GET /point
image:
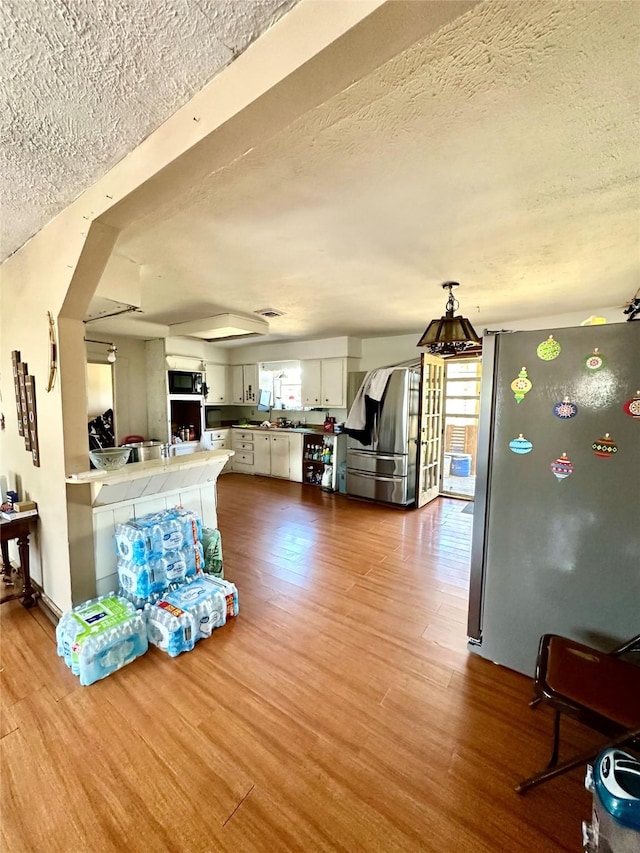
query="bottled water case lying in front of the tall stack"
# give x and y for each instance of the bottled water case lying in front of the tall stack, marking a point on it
(204, 603)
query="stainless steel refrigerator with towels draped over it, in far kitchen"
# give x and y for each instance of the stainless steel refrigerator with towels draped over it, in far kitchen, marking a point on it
(384, 469)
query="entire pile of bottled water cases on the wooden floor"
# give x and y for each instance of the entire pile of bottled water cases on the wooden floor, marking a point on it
(164, 598)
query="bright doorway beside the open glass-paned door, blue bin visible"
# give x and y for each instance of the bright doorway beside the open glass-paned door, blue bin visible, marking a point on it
(461, 414)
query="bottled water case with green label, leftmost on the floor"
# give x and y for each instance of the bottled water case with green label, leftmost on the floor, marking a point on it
(101, 636)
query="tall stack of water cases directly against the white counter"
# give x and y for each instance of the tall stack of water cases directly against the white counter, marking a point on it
(157, 551)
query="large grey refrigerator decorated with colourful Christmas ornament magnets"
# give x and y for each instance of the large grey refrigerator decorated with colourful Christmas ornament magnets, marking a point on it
(556, 539)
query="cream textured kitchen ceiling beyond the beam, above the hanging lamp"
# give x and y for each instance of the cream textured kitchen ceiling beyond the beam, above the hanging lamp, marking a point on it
(500, 152)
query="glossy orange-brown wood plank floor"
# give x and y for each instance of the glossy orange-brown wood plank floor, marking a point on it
(340, 711)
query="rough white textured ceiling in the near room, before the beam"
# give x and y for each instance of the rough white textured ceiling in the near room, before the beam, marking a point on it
(83, 82)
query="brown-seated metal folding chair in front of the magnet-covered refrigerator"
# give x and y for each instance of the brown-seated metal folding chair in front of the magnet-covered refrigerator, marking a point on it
(599, 689)
